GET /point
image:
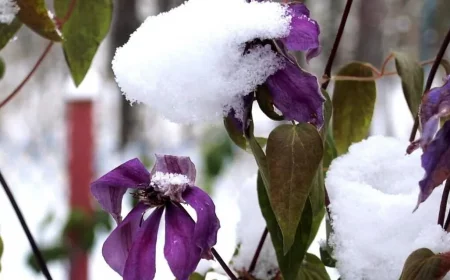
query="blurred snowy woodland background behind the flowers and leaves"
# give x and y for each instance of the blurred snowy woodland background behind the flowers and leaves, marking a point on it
(45, 129)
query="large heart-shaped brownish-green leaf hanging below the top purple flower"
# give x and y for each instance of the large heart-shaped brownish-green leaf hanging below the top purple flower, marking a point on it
(293, 155)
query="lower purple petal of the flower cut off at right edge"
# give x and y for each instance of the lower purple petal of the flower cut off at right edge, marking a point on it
(436, 162)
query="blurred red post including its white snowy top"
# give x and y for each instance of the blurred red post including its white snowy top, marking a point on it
(79, 108)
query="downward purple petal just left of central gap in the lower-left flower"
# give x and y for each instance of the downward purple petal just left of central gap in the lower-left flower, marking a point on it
(141, 262)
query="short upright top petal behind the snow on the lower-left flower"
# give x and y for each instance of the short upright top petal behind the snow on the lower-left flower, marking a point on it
(176, 165)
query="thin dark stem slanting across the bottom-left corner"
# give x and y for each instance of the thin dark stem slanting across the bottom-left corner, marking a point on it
(36, 251)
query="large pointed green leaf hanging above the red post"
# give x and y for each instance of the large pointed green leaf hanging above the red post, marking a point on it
(83, 32)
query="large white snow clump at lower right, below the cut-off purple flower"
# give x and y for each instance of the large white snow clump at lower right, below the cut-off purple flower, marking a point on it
(373, 190)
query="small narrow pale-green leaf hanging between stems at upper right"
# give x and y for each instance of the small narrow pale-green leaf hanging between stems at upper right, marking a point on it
(412, 76)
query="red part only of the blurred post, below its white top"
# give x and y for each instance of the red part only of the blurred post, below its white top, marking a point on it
(81, 146)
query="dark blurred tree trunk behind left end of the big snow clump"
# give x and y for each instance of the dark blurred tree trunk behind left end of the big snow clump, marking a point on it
(125, 22)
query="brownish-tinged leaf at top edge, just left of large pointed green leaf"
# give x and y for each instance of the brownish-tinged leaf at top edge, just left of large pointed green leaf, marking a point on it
(35, 15)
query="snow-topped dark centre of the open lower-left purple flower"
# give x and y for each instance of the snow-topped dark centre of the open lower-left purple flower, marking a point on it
(163, 188)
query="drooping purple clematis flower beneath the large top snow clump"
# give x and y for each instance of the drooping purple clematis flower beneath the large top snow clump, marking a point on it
(295, 92)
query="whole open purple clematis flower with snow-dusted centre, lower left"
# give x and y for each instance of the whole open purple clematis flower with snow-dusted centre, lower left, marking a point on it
(131, 247)
